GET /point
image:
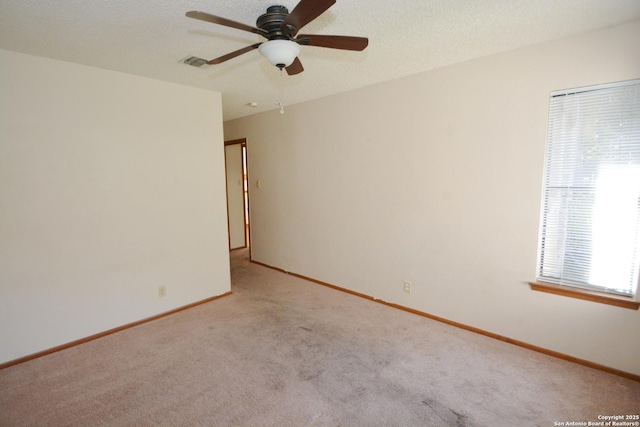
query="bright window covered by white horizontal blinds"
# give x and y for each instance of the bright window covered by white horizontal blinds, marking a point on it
(590, 231)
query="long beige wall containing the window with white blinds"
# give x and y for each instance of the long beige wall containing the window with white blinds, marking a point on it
(436, 179)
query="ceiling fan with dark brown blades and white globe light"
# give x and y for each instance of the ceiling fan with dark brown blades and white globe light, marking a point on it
(280, 28)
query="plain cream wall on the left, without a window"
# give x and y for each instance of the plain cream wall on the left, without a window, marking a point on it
(110, 186)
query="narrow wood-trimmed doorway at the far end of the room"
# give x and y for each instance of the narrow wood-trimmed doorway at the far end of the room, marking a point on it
(236, 167)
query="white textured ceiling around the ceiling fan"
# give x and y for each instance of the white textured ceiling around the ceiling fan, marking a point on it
(405, 37)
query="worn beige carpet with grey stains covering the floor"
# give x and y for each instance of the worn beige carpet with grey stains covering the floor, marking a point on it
(281, 351)
